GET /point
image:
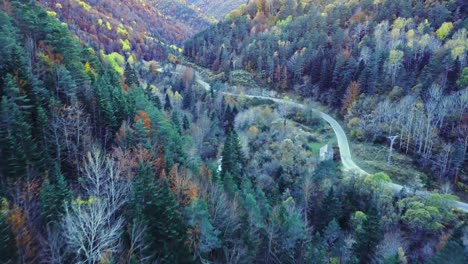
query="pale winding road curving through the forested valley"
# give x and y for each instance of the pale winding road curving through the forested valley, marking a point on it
(343, 144)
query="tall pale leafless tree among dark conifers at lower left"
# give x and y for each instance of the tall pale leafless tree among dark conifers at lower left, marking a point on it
(92, 227)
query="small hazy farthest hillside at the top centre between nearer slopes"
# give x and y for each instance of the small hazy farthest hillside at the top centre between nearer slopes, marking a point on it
(218, 8)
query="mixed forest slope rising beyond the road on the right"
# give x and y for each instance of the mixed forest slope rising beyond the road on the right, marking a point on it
(387, 67)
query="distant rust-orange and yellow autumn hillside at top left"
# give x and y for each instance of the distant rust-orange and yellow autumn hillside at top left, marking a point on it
(147, 29)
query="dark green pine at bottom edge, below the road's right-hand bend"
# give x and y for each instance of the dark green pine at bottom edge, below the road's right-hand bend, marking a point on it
(369, 237)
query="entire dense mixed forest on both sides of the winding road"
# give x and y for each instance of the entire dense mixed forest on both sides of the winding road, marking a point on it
(106, 158)
